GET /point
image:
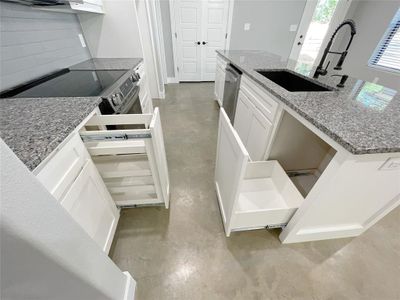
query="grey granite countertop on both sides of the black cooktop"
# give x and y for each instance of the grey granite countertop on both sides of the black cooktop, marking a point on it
(34, 127)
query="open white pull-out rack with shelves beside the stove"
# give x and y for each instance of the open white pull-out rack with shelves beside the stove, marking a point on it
(132, 162)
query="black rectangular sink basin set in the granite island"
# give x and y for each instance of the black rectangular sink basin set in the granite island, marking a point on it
(292, 82)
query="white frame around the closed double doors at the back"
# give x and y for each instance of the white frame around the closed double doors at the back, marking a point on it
(174, 36)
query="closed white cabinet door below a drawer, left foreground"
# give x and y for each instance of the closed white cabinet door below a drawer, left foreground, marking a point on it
(90, 204)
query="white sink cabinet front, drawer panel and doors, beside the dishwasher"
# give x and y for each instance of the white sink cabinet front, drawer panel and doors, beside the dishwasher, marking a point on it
(255, 112)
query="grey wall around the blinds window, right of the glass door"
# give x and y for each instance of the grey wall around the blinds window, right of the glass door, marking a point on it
(372, 19)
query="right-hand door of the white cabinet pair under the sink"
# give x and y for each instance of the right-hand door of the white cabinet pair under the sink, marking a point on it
(258, 136)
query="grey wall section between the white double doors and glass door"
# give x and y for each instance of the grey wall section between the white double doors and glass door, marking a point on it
(270, 21)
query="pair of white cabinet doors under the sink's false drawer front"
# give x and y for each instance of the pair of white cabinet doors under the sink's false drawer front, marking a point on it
(253, 127)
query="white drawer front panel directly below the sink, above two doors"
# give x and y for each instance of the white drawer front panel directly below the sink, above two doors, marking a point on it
(262, 100)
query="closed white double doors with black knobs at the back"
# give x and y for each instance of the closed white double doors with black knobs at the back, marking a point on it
(200, 29)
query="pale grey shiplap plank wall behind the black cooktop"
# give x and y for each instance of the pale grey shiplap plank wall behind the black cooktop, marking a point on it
(34, 43)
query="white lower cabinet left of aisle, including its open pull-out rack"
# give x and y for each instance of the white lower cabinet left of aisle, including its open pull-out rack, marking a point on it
(98, 170)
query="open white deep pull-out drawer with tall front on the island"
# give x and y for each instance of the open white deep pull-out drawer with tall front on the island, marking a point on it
(250, 194)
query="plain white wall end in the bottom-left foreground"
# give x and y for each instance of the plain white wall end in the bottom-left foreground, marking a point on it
(44, 253)
